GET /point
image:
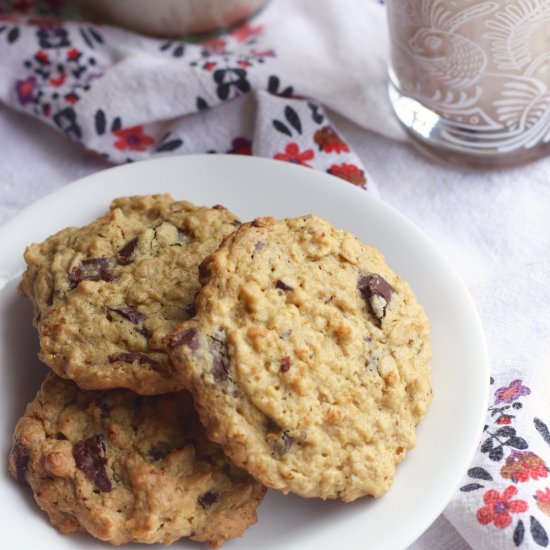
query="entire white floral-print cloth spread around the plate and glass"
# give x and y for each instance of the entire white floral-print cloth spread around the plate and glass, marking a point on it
(331, 56)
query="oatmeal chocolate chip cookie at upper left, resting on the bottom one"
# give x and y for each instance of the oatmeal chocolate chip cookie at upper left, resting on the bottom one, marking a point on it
(106, 295)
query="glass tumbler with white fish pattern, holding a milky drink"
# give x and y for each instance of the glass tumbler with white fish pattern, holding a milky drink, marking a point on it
(470, 79)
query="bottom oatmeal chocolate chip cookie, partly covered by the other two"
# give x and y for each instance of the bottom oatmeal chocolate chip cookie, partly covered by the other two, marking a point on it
(129, 468)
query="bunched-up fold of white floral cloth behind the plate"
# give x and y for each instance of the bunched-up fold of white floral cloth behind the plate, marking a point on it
(128, 97)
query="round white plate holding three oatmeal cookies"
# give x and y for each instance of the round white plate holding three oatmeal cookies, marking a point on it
(251, 187)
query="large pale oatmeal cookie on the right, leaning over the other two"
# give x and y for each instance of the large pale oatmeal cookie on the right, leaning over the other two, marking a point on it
(308, 358)
